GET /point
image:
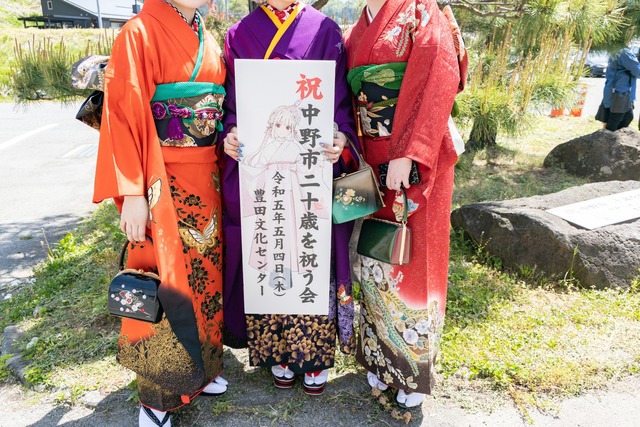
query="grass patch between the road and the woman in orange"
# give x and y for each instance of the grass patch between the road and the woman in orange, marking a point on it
(67, 328)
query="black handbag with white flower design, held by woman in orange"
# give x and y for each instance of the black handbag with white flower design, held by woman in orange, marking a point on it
(134, 293)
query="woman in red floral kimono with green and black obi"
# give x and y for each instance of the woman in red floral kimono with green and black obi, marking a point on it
(405, 72)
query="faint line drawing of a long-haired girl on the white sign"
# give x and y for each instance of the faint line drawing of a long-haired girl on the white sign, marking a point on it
(283, 163)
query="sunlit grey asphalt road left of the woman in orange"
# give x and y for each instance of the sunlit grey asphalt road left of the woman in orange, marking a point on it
(47, 161)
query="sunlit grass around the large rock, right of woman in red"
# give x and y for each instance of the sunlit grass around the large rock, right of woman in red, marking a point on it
(530, 337)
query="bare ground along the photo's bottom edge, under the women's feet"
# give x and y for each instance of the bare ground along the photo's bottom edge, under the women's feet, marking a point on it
(252, 400)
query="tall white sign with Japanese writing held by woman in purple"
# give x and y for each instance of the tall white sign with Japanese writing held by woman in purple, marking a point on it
(284, 112)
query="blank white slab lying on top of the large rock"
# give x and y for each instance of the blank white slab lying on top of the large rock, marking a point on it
(601, 211)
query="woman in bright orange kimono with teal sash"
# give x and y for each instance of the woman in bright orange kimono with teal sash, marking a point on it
(157, 160)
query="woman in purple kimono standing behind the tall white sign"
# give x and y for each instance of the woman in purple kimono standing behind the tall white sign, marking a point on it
(288, 344)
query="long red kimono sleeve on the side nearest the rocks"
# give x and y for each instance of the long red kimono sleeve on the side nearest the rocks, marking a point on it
(431, 81)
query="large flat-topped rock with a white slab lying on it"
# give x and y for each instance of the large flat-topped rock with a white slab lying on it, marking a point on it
(521, 233)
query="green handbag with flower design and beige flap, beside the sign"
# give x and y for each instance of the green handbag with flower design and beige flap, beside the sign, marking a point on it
(355, 195)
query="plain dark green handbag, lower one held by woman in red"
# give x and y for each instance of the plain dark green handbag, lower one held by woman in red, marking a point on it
(386, 241)
